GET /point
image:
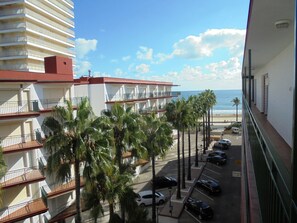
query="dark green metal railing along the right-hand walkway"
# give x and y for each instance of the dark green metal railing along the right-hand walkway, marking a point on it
(271, 176)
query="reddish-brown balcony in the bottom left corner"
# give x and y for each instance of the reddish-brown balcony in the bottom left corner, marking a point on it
(22, 211)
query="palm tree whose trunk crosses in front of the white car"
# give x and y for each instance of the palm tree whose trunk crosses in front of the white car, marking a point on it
(158, 140)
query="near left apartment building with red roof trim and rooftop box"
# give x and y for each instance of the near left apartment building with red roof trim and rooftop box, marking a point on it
(26, 98)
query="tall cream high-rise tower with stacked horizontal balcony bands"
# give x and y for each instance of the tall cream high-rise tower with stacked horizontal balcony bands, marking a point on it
(31, 30)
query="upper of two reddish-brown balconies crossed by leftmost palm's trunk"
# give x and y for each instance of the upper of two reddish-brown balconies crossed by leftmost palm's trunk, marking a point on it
(58, 189)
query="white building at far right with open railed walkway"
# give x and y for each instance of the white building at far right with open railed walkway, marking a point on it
(269, 160)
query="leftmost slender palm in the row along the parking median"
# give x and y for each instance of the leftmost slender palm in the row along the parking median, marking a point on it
(174, 114)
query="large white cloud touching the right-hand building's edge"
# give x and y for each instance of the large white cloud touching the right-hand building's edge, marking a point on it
(206, 43)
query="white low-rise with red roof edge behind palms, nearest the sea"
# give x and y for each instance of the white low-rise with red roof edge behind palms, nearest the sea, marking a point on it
(144, 96)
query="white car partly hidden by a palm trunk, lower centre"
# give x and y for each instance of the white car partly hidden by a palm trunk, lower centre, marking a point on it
(145, 198)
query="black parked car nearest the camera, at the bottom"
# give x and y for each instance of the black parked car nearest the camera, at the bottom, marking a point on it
(199, 208)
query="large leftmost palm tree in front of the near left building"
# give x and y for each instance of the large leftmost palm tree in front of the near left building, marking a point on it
(67, 143)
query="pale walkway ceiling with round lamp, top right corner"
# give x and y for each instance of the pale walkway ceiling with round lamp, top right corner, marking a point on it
(263, 38)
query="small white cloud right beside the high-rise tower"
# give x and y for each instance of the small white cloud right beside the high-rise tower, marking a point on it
(84, 46)
